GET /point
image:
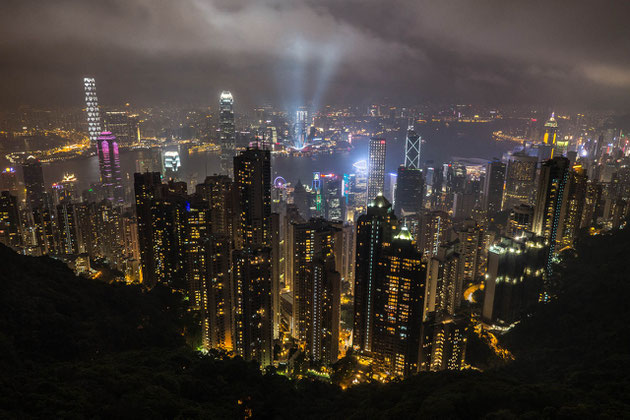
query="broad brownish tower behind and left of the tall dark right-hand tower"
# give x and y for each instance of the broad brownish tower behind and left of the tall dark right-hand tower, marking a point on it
(520, 180)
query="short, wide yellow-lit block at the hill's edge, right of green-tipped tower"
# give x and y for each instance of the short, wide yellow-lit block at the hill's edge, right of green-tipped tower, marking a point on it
(444, 339)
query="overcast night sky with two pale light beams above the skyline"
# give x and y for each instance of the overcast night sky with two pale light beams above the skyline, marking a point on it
(558, 53)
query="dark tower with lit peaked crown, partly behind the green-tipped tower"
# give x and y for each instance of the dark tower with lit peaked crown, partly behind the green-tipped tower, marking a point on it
(374, 230)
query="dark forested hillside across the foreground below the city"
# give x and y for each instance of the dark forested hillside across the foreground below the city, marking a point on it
(72, 347)
